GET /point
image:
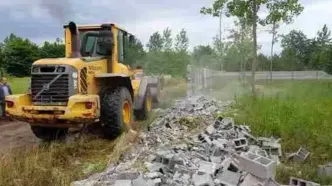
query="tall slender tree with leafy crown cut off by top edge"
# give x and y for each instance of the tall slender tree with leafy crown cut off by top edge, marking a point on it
(279, 10)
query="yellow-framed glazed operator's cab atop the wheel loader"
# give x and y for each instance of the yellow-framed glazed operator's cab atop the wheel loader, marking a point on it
(103, 40)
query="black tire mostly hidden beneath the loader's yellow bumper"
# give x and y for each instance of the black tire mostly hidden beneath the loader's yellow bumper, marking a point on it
(49, 133)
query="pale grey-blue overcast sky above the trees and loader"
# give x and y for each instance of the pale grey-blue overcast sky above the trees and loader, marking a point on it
(41, 20)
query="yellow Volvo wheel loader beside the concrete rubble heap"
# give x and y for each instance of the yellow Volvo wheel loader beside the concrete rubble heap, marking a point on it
(91, 85)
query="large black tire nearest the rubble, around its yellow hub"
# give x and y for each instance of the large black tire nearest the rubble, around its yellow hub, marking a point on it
(111, 111)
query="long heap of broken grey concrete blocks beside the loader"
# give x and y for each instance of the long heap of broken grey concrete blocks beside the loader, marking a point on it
(177, 151)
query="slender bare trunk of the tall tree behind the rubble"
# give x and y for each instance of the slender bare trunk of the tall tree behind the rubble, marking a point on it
(254, 34)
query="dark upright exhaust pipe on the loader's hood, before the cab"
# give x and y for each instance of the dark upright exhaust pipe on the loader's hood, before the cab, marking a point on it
(75, 40)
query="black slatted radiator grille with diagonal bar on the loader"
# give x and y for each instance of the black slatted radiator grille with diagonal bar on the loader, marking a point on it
(58, 92)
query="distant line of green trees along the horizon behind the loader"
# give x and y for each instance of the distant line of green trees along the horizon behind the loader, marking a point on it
(167, 55)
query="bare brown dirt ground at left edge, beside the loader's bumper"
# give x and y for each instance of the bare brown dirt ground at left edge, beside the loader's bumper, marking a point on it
(15, 134)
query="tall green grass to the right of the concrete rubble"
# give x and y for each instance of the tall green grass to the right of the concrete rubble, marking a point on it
(300, 112)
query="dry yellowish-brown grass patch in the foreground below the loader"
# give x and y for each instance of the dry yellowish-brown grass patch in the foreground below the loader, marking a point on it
(56, 163)
